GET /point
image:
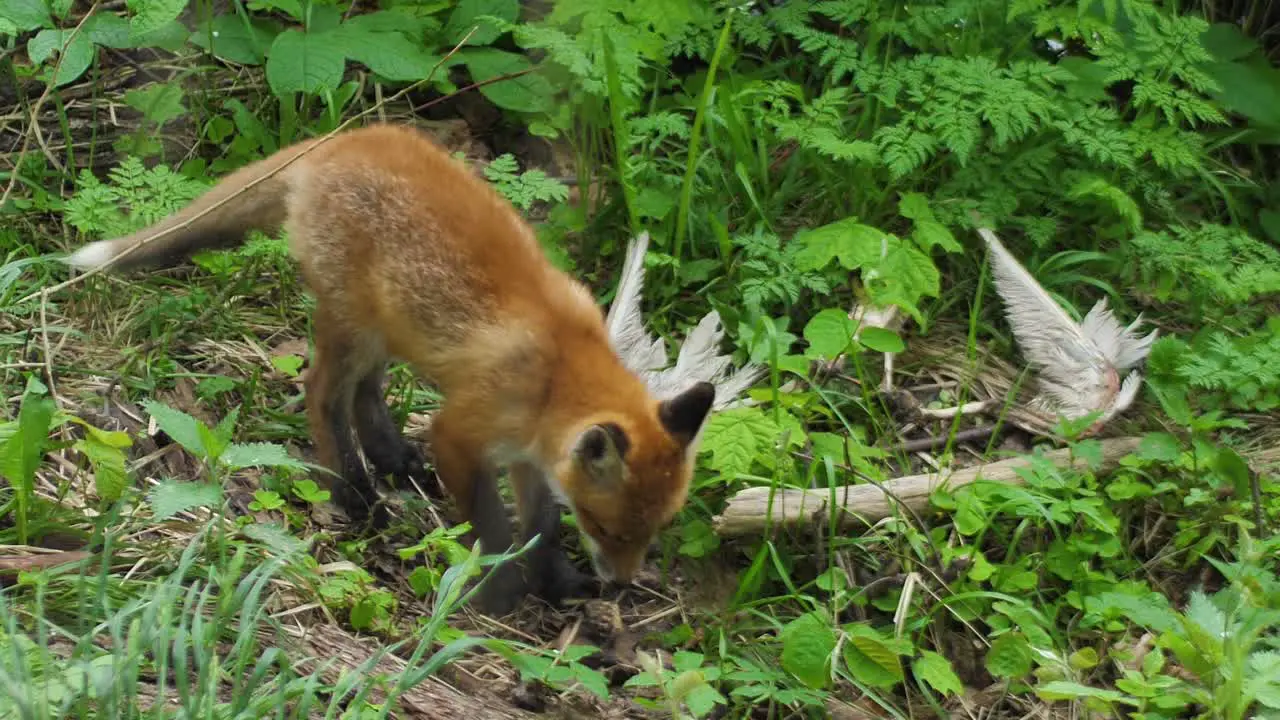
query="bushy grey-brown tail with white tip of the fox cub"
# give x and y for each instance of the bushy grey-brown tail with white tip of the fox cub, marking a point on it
(254, 198)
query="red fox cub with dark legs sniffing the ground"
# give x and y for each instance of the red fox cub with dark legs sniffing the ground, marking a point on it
(413, 257)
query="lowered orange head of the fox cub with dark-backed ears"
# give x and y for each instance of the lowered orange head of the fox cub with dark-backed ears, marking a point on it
(627, 477)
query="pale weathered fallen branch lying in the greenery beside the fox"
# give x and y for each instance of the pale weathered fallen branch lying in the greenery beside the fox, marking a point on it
(749, 512)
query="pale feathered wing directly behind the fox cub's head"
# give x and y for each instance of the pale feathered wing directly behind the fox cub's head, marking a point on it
(700, 358)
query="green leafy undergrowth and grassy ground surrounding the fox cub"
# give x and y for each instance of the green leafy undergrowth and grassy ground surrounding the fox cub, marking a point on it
(168, 552)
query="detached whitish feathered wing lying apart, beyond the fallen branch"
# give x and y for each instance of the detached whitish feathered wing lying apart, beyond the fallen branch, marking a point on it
(1078, 364)
